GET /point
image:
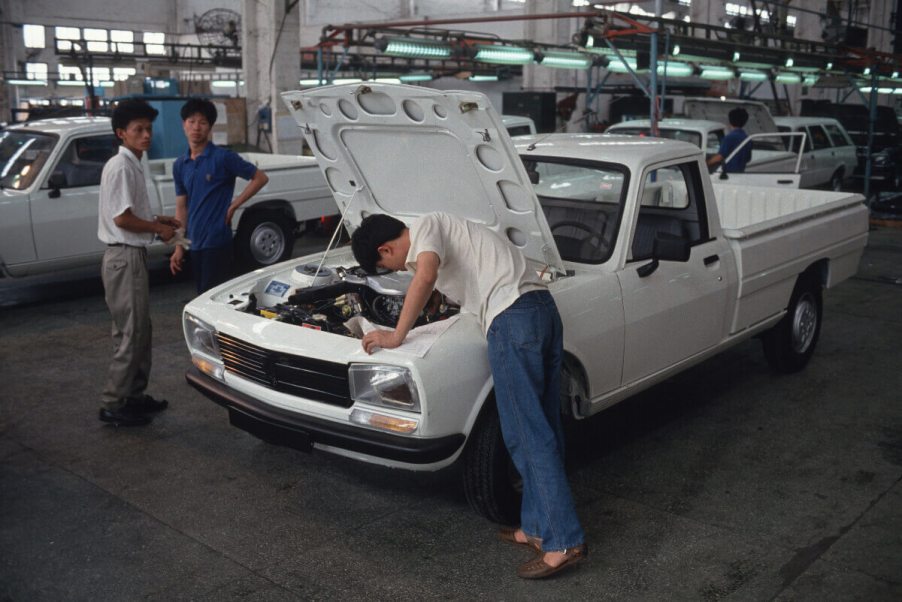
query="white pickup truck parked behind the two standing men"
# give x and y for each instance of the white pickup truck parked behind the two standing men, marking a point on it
(49, 186)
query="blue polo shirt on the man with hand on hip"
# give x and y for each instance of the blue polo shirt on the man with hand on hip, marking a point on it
(209, 183)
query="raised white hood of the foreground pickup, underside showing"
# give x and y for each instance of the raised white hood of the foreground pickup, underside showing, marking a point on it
(408, 151)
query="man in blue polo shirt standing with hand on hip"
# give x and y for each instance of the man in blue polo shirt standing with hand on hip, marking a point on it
(204, 185)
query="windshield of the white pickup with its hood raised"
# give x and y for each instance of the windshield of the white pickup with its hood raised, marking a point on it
(582, 203)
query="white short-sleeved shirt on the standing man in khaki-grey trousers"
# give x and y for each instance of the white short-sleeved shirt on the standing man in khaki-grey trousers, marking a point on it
(122, 187)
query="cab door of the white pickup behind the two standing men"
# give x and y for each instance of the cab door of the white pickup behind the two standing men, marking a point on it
(64, 219)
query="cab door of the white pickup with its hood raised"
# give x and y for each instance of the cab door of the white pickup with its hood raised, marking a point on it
(677, 310)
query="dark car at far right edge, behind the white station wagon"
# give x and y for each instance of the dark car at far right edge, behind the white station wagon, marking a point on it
(886, 149)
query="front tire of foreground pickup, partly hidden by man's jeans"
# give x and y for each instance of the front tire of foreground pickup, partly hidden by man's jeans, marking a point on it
(491, 483)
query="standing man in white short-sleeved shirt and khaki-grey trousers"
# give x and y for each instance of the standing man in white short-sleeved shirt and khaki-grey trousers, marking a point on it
(127, 225)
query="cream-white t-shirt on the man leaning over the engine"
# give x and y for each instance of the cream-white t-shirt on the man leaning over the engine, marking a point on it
(478, 268)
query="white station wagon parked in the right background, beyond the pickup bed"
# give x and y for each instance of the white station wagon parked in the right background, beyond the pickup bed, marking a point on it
(829, 155)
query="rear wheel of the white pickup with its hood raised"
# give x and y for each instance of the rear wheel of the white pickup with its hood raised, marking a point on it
(790, 344)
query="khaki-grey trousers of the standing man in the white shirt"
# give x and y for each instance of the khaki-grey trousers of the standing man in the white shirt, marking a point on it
(126, 290)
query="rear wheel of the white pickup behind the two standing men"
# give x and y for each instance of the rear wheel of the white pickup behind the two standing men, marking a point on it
(264, 238)
